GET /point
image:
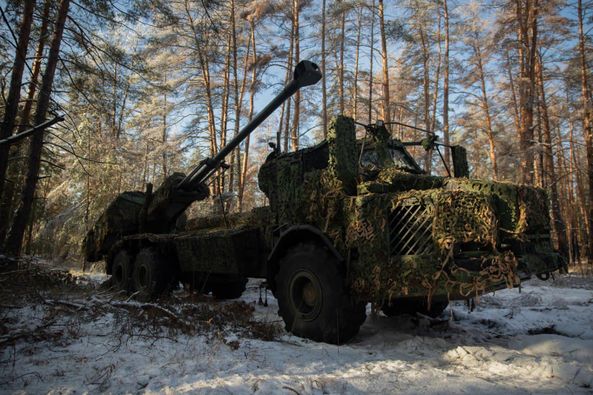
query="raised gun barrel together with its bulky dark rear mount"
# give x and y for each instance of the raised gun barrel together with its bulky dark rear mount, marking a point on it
(158, 212)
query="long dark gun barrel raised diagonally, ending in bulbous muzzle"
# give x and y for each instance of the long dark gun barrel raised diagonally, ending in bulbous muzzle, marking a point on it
(306, 73)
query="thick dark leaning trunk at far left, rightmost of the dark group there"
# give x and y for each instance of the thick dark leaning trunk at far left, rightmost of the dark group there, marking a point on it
(15, 237)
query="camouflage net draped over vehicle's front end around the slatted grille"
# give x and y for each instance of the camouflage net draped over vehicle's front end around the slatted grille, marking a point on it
(419, 240)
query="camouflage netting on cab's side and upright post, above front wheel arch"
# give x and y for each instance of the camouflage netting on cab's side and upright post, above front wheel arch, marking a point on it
(308, 186)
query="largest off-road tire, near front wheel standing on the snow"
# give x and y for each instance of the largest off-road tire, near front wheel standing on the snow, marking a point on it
(312, 297)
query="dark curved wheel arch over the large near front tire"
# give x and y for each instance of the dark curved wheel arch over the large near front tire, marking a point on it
(292, 236)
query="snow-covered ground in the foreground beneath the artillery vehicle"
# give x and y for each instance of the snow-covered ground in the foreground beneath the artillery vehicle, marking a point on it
(537, 340)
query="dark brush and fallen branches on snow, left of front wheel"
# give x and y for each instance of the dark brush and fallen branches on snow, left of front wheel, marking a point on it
(67, 302)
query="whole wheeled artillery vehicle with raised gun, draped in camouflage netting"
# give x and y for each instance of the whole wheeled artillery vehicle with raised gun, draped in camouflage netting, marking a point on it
(348, 222)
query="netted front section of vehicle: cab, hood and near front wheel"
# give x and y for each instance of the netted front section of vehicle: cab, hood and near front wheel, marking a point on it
(404, 240)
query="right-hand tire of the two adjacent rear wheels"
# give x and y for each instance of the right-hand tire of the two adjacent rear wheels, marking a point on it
(151, 276)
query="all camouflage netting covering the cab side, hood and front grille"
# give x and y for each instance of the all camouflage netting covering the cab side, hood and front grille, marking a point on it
(401, 232)
